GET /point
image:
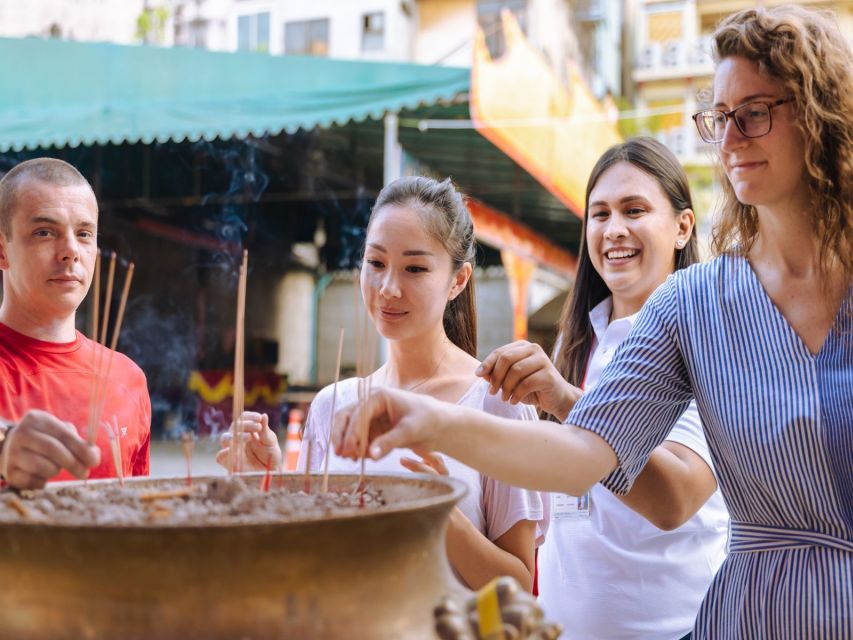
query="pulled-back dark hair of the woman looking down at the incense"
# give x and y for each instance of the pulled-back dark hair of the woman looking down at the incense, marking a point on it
(446, 217)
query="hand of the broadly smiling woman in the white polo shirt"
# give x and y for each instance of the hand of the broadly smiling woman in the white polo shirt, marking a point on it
(523, 372)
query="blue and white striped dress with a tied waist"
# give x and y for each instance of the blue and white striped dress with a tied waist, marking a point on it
(779, 424)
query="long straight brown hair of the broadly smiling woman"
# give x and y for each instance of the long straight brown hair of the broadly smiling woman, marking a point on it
(575, 334)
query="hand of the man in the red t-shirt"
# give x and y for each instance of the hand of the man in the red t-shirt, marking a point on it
(39, 446)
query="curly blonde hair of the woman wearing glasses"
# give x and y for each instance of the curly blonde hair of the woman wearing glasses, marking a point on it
(805, 51)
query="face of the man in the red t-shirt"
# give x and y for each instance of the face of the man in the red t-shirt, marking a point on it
(49, 260)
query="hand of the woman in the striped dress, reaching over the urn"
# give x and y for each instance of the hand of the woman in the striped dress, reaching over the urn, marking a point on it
(389, 419)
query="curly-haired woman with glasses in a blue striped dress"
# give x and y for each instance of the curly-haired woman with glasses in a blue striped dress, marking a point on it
(761, 338)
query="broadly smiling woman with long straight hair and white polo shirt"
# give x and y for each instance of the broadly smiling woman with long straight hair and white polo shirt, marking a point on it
(605, 571)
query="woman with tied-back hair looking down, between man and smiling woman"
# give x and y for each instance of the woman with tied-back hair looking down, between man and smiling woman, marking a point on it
(416, 282)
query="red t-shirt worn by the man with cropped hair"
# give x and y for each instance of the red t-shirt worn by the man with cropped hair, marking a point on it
(57, 378)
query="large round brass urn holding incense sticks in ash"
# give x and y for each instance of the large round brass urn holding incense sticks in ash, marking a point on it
(368, 574)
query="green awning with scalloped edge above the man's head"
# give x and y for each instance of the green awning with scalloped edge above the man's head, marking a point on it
(57, 93)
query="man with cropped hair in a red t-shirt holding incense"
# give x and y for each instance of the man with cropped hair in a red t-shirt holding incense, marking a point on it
(48, 246)
